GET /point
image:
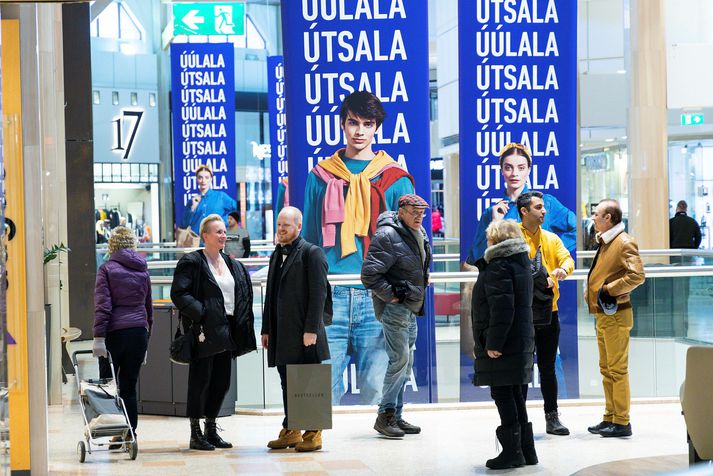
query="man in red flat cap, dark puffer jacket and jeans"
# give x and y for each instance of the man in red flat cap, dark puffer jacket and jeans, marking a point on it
(396, 271)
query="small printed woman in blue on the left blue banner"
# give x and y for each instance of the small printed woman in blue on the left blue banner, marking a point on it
(207, 201)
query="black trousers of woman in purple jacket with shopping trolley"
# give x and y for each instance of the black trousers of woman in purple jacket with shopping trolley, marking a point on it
(128, 349)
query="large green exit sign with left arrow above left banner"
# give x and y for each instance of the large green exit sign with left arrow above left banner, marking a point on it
(208, 18)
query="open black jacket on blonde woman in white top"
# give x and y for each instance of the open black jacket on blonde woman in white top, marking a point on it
(199, 299)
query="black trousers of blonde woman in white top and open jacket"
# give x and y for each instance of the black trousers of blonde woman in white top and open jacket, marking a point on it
(208, 383)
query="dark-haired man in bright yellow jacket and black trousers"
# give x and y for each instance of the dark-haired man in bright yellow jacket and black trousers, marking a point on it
(546, 251)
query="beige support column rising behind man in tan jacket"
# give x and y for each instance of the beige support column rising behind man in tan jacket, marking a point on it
(648, 135)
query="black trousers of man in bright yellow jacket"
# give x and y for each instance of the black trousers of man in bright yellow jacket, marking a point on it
(546, 343)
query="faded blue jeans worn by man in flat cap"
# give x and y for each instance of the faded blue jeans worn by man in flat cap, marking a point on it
(400, 332)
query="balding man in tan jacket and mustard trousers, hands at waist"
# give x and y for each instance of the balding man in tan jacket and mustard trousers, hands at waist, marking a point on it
(616, 271)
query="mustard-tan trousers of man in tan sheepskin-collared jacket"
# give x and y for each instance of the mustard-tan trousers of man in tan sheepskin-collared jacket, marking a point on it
(613, 342)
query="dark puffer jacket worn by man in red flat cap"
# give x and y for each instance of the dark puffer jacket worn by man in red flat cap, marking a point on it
(394, 262)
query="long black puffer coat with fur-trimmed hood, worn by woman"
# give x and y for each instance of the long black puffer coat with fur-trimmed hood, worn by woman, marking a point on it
(502, 315)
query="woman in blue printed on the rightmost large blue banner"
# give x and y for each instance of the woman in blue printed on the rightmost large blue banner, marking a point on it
(515, 165)
